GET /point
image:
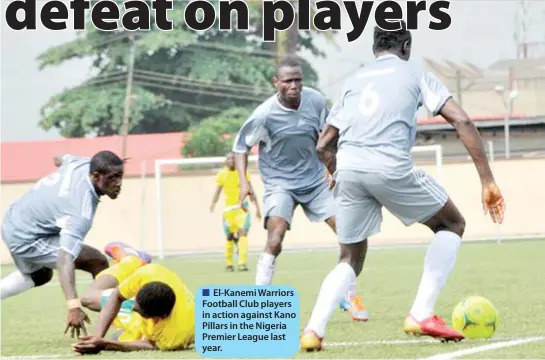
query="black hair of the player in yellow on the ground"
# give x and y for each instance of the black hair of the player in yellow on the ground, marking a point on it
(155, 299)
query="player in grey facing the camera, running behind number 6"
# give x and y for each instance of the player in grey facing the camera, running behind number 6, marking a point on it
(287, 127)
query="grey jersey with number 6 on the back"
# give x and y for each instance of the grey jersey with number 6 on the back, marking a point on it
(376, 114)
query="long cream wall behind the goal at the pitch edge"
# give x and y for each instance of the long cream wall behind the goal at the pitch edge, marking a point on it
(189, 226)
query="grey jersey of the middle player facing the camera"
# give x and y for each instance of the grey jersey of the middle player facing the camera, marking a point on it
(287, 141)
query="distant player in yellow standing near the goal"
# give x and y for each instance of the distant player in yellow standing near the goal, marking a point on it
(236, 220)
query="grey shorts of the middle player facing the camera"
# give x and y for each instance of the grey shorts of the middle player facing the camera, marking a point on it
(317, 203)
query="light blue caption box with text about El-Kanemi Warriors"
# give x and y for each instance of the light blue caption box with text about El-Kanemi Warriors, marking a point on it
(247, 321)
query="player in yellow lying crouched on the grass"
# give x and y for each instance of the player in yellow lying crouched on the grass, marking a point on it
(148, 303)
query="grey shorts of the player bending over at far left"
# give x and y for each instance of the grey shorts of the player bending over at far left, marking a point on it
(31, 257)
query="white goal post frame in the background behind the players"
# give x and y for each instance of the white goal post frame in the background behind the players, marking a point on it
(437, 150)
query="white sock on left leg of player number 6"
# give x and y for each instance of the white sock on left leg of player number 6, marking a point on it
(333, 289)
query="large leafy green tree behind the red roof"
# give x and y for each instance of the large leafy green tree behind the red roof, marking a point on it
(180, 78)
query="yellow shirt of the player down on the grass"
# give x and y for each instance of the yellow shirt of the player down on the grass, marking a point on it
(178, 329)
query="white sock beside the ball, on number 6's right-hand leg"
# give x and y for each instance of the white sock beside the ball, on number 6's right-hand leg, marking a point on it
(438, 264)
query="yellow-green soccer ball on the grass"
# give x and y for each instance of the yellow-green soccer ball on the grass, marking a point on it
(475, 317)
